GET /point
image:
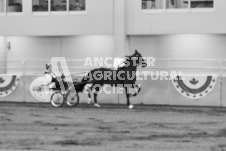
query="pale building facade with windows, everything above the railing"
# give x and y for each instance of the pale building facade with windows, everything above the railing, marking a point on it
(160, 28)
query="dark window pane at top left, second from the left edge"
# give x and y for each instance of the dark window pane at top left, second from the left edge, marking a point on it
(14, 6)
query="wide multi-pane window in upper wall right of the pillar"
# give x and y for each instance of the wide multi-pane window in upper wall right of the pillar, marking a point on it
(176, 5)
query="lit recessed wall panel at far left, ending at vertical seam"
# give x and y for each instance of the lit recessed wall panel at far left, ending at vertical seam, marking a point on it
(33, 48)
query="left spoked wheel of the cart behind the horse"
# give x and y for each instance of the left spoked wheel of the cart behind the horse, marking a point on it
(57, 99)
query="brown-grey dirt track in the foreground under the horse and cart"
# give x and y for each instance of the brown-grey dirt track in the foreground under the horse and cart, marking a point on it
(111, 128)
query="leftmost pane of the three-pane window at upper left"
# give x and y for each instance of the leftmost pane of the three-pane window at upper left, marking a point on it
(40, 5)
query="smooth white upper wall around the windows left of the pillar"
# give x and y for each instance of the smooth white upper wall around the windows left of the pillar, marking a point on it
(97, 21)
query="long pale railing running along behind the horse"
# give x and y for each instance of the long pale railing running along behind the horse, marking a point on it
(31, 67)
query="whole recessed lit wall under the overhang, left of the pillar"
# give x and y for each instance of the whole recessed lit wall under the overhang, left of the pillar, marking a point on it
(42, 49)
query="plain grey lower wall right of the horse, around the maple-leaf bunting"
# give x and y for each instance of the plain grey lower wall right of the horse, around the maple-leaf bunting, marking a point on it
(162, 92)
